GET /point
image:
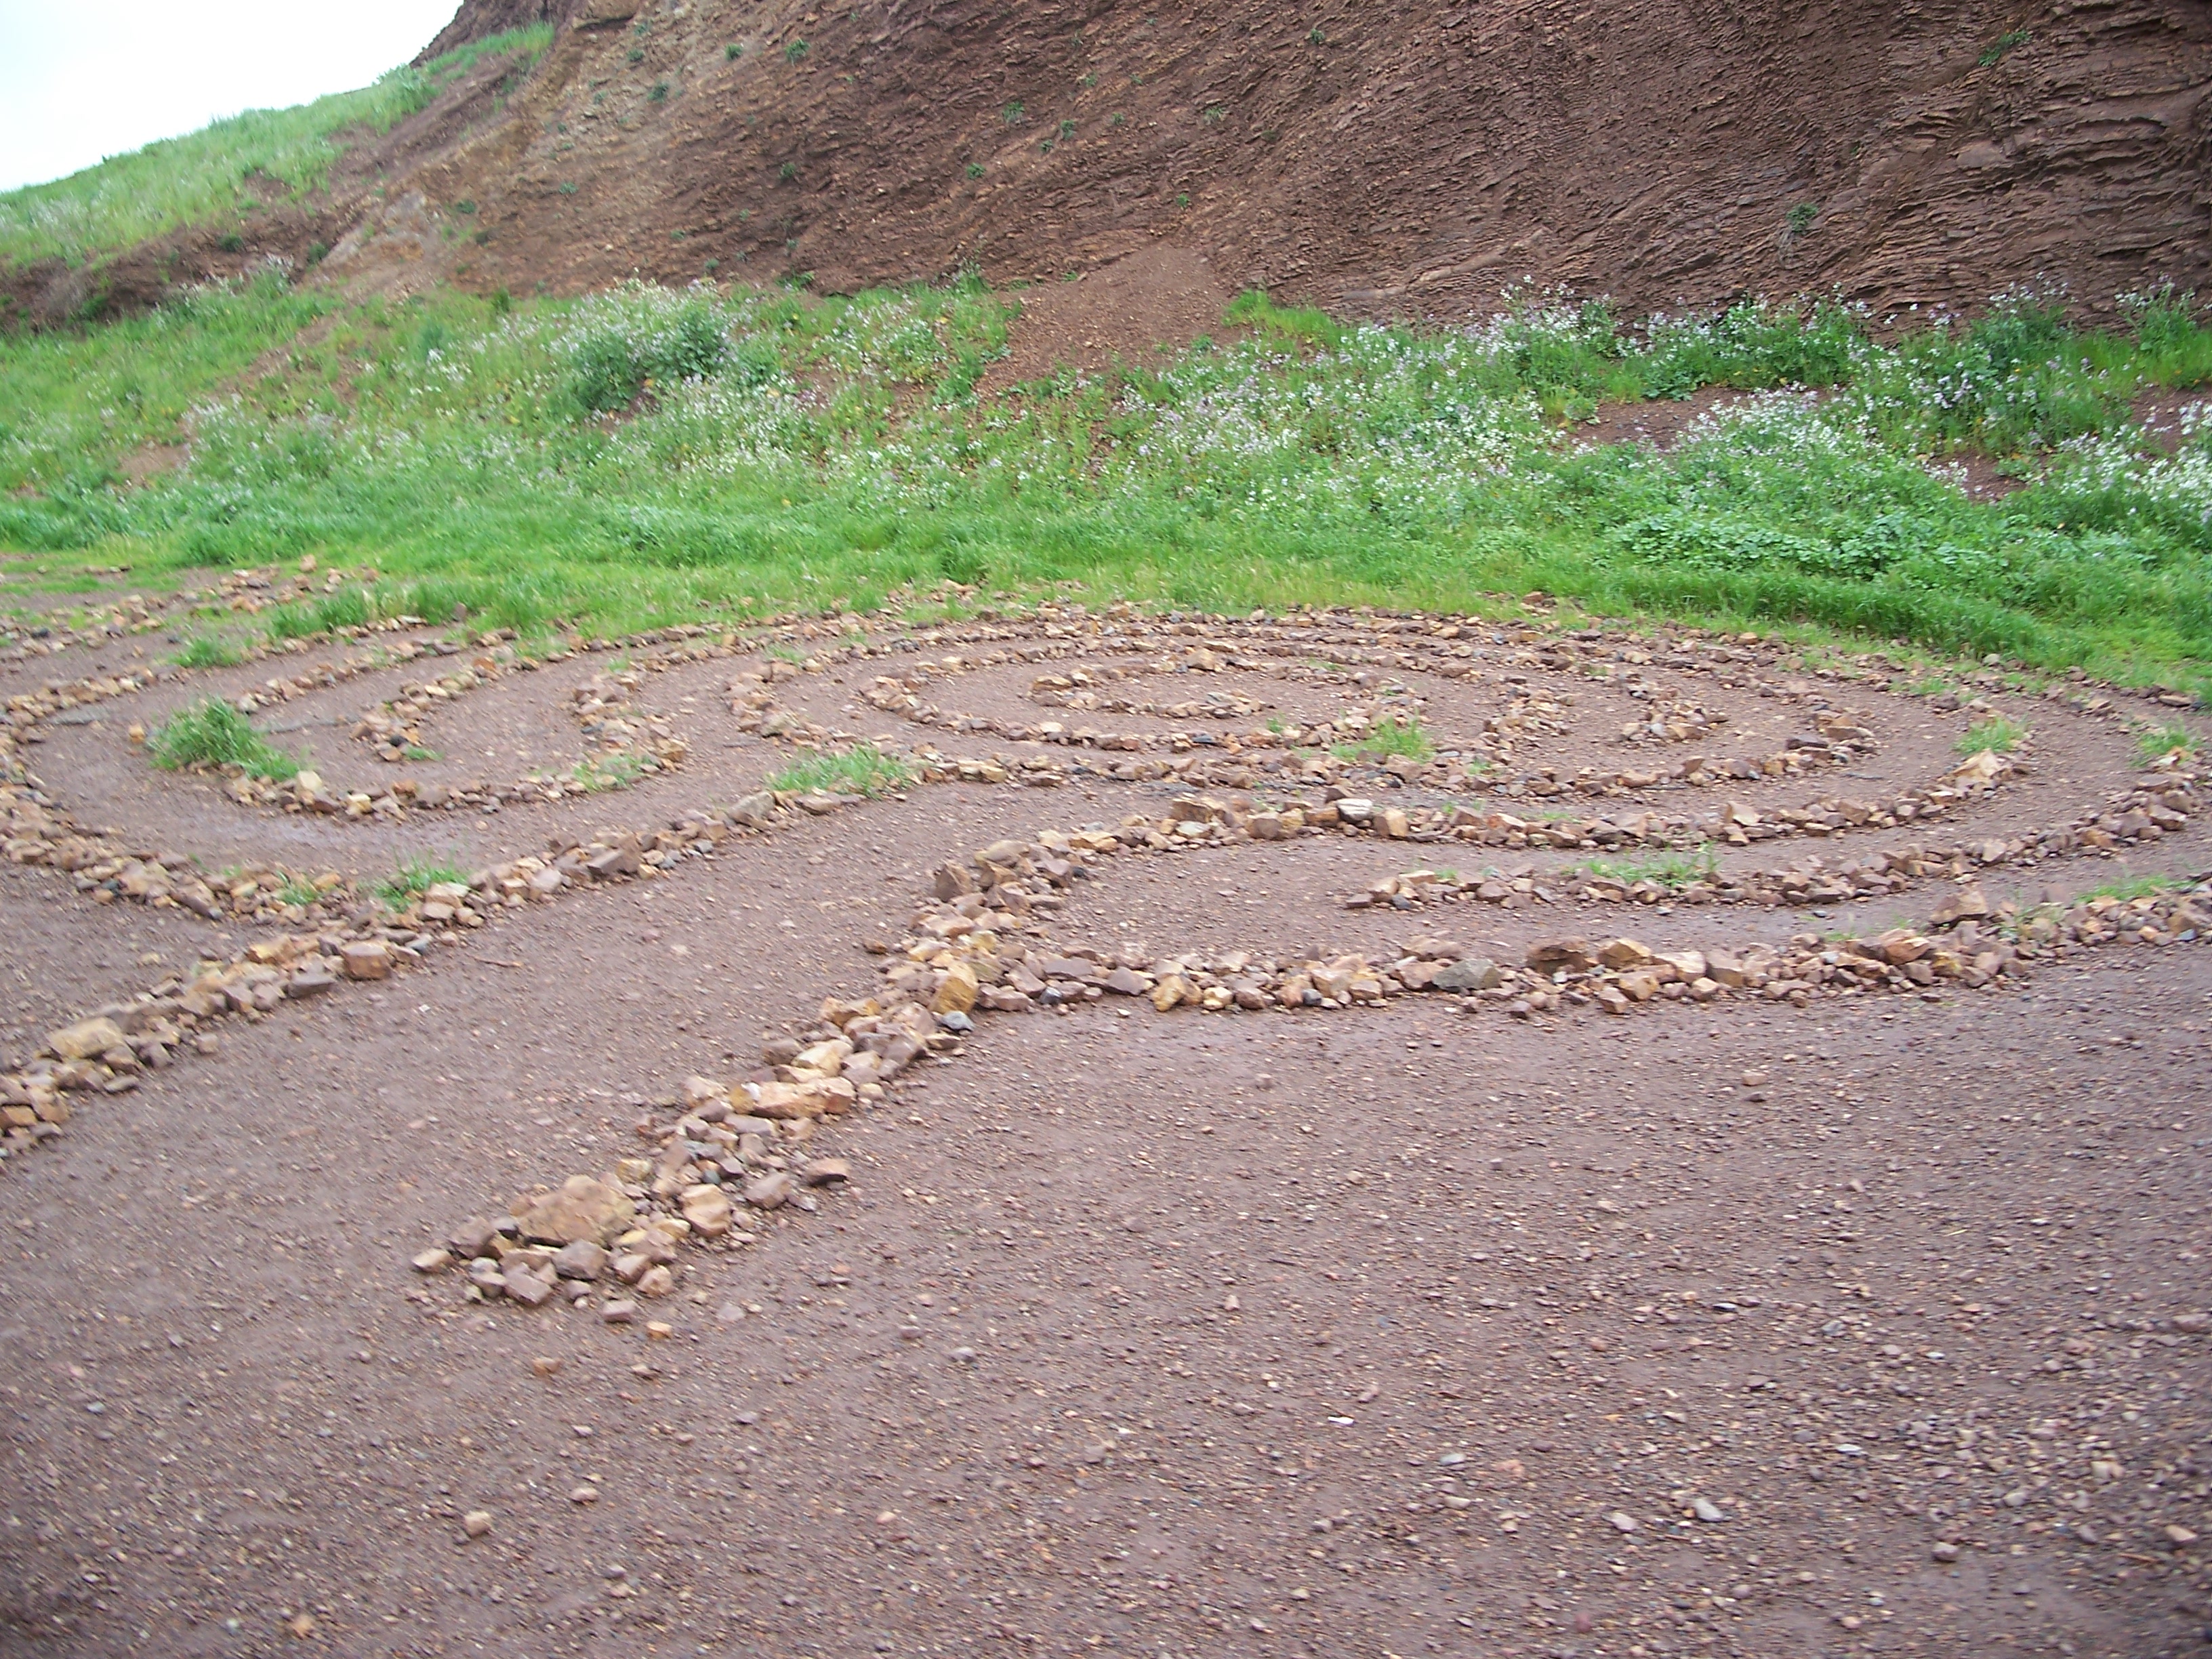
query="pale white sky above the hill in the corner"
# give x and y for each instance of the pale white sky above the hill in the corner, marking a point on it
(92, 79)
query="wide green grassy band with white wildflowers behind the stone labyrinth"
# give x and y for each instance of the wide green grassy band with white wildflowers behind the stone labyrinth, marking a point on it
(778, 452)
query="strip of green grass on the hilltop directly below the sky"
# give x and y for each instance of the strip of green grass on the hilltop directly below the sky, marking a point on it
(229, 169)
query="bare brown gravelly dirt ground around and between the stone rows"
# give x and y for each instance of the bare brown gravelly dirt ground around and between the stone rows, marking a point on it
(1735, 1328)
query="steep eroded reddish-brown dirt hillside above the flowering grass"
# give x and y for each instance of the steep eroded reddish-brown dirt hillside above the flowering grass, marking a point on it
(1406, 160)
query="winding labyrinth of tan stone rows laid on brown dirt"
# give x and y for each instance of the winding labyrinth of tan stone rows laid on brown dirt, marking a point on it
(1510, 824)
